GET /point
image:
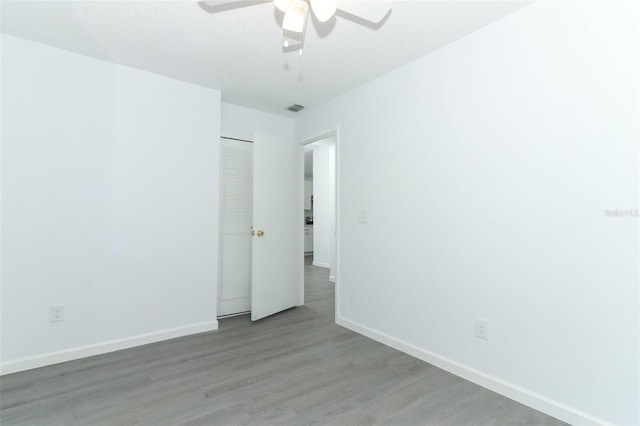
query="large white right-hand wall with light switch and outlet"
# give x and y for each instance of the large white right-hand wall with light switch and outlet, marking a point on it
(486, 168)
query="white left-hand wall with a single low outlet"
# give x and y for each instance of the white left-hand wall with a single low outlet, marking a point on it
(110, 205)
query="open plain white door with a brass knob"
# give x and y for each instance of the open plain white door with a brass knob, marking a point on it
(276, 219)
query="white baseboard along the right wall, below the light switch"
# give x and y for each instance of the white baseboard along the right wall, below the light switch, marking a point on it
(517, 393)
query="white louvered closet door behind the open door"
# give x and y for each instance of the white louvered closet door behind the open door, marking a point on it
(234, 294)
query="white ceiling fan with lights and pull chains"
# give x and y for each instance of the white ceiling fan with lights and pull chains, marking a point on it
(297, 11)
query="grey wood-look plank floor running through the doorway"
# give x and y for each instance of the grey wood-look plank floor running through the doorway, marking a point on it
(294, 368)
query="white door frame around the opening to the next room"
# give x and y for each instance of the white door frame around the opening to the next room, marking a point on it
(335, 133)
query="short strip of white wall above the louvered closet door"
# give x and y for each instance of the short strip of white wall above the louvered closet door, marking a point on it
(240, 122)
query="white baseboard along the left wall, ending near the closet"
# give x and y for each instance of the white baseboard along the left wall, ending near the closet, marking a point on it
(104, 347)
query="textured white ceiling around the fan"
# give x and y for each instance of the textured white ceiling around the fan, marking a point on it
(239, 51)
